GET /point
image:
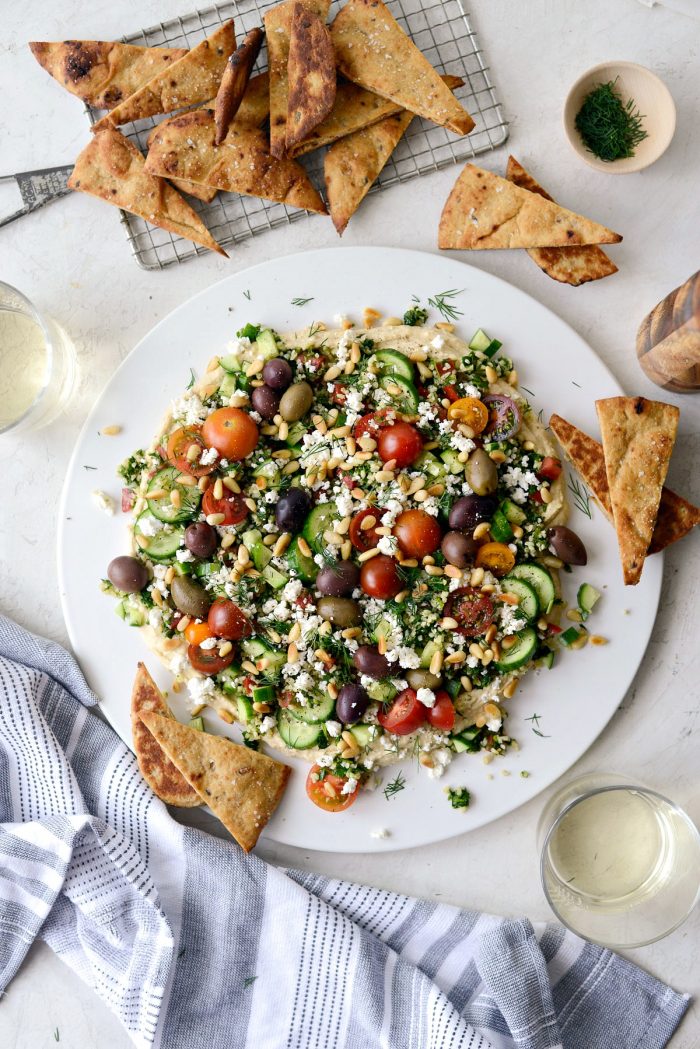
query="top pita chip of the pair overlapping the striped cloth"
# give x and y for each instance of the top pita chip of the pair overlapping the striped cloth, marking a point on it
(242, 787)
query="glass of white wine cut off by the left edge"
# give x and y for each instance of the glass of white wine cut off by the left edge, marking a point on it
(37, 366)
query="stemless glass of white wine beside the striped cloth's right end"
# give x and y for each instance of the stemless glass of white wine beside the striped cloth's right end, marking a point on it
(620, 863)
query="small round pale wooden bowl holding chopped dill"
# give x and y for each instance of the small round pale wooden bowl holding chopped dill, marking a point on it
(653, 101)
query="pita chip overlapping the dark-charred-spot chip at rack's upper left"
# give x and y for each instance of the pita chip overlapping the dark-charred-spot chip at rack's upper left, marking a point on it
(193, 79)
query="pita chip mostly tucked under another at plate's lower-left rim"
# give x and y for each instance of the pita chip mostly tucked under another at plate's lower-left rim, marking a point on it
(156, 767)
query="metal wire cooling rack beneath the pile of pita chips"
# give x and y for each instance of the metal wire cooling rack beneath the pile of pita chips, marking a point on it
(440, 29)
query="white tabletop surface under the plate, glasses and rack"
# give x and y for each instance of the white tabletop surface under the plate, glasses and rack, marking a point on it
(73, 261)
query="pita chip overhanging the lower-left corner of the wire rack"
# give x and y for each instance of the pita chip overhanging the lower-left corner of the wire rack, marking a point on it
(112, 168)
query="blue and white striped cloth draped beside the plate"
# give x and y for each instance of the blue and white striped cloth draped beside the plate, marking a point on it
(196, 946)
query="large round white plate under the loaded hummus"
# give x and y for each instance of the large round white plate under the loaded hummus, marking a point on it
(572, 703)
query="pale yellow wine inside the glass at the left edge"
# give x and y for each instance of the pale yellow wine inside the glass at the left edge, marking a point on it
(24, 365)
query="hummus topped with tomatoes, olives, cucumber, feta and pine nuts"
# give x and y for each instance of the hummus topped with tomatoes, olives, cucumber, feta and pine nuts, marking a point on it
(345, 540)
